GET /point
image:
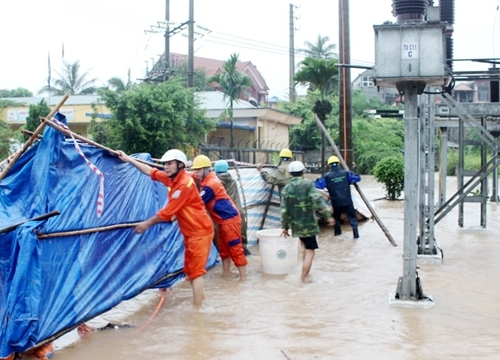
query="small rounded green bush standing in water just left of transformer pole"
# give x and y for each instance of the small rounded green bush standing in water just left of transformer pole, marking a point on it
(390, 171)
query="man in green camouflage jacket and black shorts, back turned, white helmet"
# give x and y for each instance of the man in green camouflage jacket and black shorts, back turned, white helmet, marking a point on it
(299, 202)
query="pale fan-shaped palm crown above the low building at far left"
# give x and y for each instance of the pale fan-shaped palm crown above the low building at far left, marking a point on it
(71, 82)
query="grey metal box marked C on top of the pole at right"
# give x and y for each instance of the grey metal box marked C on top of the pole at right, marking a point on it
(410, 52)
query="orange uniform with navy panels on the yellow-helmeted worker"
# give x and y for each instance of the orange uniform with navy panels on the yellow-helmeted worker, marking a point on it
(225, 214)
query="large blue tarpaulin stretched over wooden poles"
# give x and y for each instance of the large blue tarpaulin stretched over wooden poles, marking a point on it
(49, 286)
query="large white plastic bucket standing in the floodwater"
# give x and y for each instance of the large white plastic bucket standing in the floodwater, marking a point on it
(278, 255)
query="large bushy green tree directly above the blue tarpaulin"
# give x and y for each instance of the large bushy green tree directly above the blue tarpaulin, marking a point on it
(152, 117)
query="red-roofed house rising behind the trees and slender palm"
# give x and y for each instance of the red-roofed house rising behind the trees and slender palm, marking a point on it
(258, 90)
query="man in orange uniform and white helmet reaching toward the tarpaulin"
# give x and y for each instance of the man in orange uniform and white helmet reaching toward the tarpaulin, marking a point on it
(184, 202)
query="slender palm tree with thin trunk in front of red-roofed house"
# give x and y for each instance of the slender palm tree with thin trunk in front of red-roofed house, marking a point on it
(232, 83)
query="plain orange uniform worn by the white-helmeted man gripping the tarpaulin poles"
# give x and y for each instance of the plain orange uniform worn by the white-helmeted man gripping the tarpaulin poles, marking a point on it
(185, 204)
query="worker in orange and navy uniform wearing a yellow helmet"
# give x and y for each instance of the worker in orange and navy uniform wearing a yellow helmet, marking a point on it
(224, 213)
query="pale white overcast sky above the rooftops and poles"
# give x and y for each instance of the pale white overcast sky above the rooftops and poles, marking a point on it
(108, 36)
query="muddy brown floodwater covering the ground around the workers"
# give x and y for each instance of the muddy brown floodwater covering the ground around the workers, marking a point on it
(342, 313)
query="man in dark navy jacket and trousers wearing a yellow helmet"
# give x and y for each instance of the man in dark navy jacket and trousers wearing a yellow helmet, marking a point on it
(338, 182)
